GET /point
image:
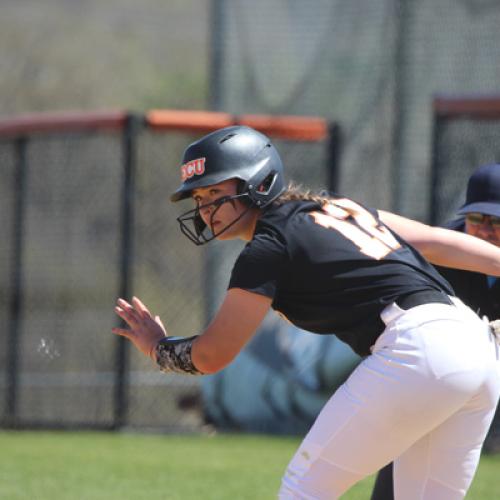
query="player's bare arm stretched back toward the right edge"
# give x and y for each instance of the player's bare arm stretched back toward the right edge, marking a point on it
(445, 247)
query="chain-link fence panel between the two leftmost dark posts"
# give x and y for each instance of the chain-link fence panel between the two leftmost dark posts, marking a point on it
(70, 266)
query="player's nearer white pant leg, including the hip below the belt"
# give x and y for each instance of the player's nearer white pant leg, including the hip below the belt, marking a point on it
(420, 373)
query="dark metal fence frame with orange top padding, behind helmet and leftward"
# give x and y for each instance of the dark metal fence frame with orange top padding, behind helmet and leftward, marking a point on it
(19, 130)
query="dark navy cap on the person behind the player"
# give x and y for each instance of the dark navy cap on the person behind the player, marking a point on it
(483, 191)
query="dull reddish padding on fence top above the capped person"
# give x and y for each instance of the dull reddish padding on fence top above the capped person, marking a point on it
(480, 106)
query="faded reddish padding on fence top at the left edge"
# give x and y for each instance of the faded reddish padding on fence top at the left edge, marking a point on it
(73, 121)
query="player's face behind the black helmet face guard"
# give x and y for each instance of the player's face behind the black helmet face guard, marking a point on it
(217, 217)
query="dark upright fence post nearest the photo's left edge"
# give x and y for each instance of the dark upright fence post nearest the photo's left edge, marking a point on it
(16, 278)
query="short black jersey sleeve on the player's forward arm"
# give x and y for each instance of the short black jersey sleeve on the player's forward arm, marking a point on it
(260, 266)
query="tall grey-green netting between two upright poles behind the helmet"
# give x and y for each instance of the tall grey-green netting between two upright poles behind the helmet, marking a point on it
(332, 59)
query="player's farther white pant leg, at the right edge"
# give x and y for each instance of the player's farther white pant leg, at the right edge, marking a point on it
(441, 465)
